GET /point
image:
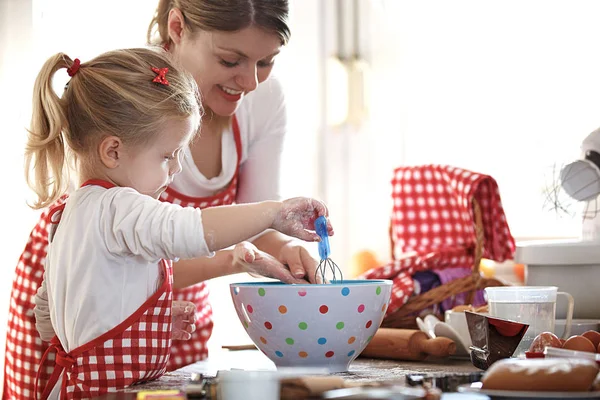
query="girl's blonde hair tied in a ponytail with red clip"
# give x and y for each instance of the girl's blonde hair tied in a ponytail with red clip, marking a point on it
(111, 95)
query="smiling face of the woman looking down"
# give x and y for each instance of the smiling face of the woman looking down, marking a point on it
(228, 65)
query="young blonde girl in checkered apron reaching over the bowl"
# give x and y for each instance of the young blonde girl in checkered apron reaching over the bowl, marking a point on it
(123, 121)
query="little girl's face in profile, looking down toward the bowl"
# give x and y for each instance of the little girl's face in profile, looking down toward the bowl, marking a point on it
(149, 169)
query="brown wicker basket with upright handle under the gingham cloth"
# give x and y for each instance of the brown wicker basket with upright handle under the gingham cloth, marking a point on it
(405, 317)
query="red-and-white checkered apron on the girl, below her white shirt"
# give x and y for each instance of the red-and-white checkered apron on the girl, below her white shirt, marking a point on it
(137, 350)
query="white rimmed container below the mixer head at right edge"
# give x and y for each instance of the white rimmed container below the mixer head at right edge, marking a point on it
(572, 265)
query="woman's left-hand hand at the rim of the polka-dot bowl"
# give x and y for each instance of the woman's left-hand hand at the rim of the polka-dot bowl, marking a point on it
(248, 258)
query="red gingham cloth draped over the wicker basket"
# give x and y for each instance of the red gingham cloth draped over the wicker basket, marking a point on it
(432, 224)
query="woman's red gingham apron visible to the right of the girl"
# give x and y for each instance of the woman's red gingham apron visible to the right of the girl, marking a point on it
(185, 352)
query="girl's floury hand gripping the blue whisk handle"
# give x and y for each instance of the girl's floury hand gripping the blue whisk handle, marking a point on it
(297, 218)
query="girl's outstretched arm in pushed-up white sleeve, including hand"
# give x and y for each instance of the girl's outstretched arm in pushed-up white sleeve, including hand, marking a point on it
(139, 225)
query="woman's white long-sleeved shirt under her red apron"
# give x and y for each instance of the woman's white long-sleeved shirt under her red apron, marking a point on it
(262, 121)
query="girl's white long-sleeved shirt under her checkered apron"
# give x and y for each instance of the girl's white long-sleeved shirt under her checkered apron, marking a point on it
(103, 261)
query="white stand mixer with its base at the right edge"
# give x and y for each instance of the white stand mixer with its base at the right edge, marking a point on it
(572, 265)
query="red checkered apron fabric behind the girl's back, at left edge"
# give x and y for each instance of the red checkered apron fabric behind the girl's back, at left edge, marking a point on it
(24, 348)
